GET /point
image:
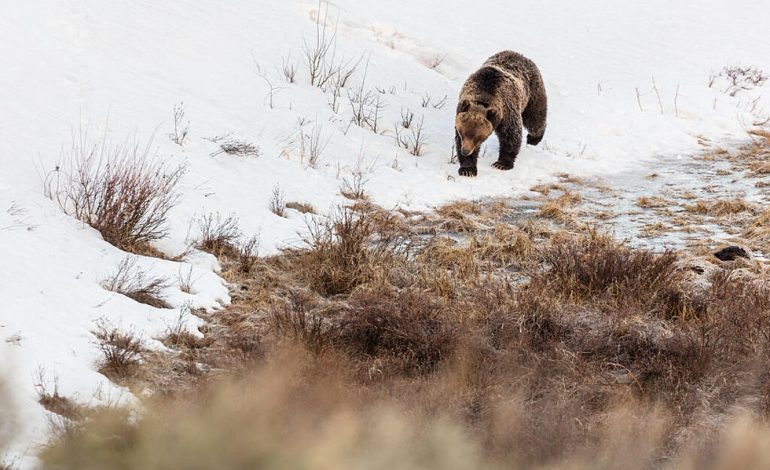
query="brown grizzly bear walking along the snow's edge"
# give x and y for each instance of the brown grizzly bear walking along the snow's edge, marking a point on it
(506, 93)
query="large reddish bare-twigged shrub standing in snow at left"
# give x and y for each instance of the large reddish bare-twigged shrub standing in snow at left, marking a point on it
(120, 190)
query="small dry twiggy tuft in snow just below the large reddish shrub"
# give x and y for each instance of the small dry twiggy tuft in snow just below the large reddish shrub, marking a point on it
(132, 282)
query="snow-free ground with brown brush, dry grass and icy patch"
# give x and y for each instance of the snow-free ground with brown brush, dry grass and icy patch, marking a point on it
(586, 325)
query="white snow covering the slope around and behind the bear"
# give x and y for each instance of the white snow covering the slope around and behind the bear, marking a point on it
(118, 68)
